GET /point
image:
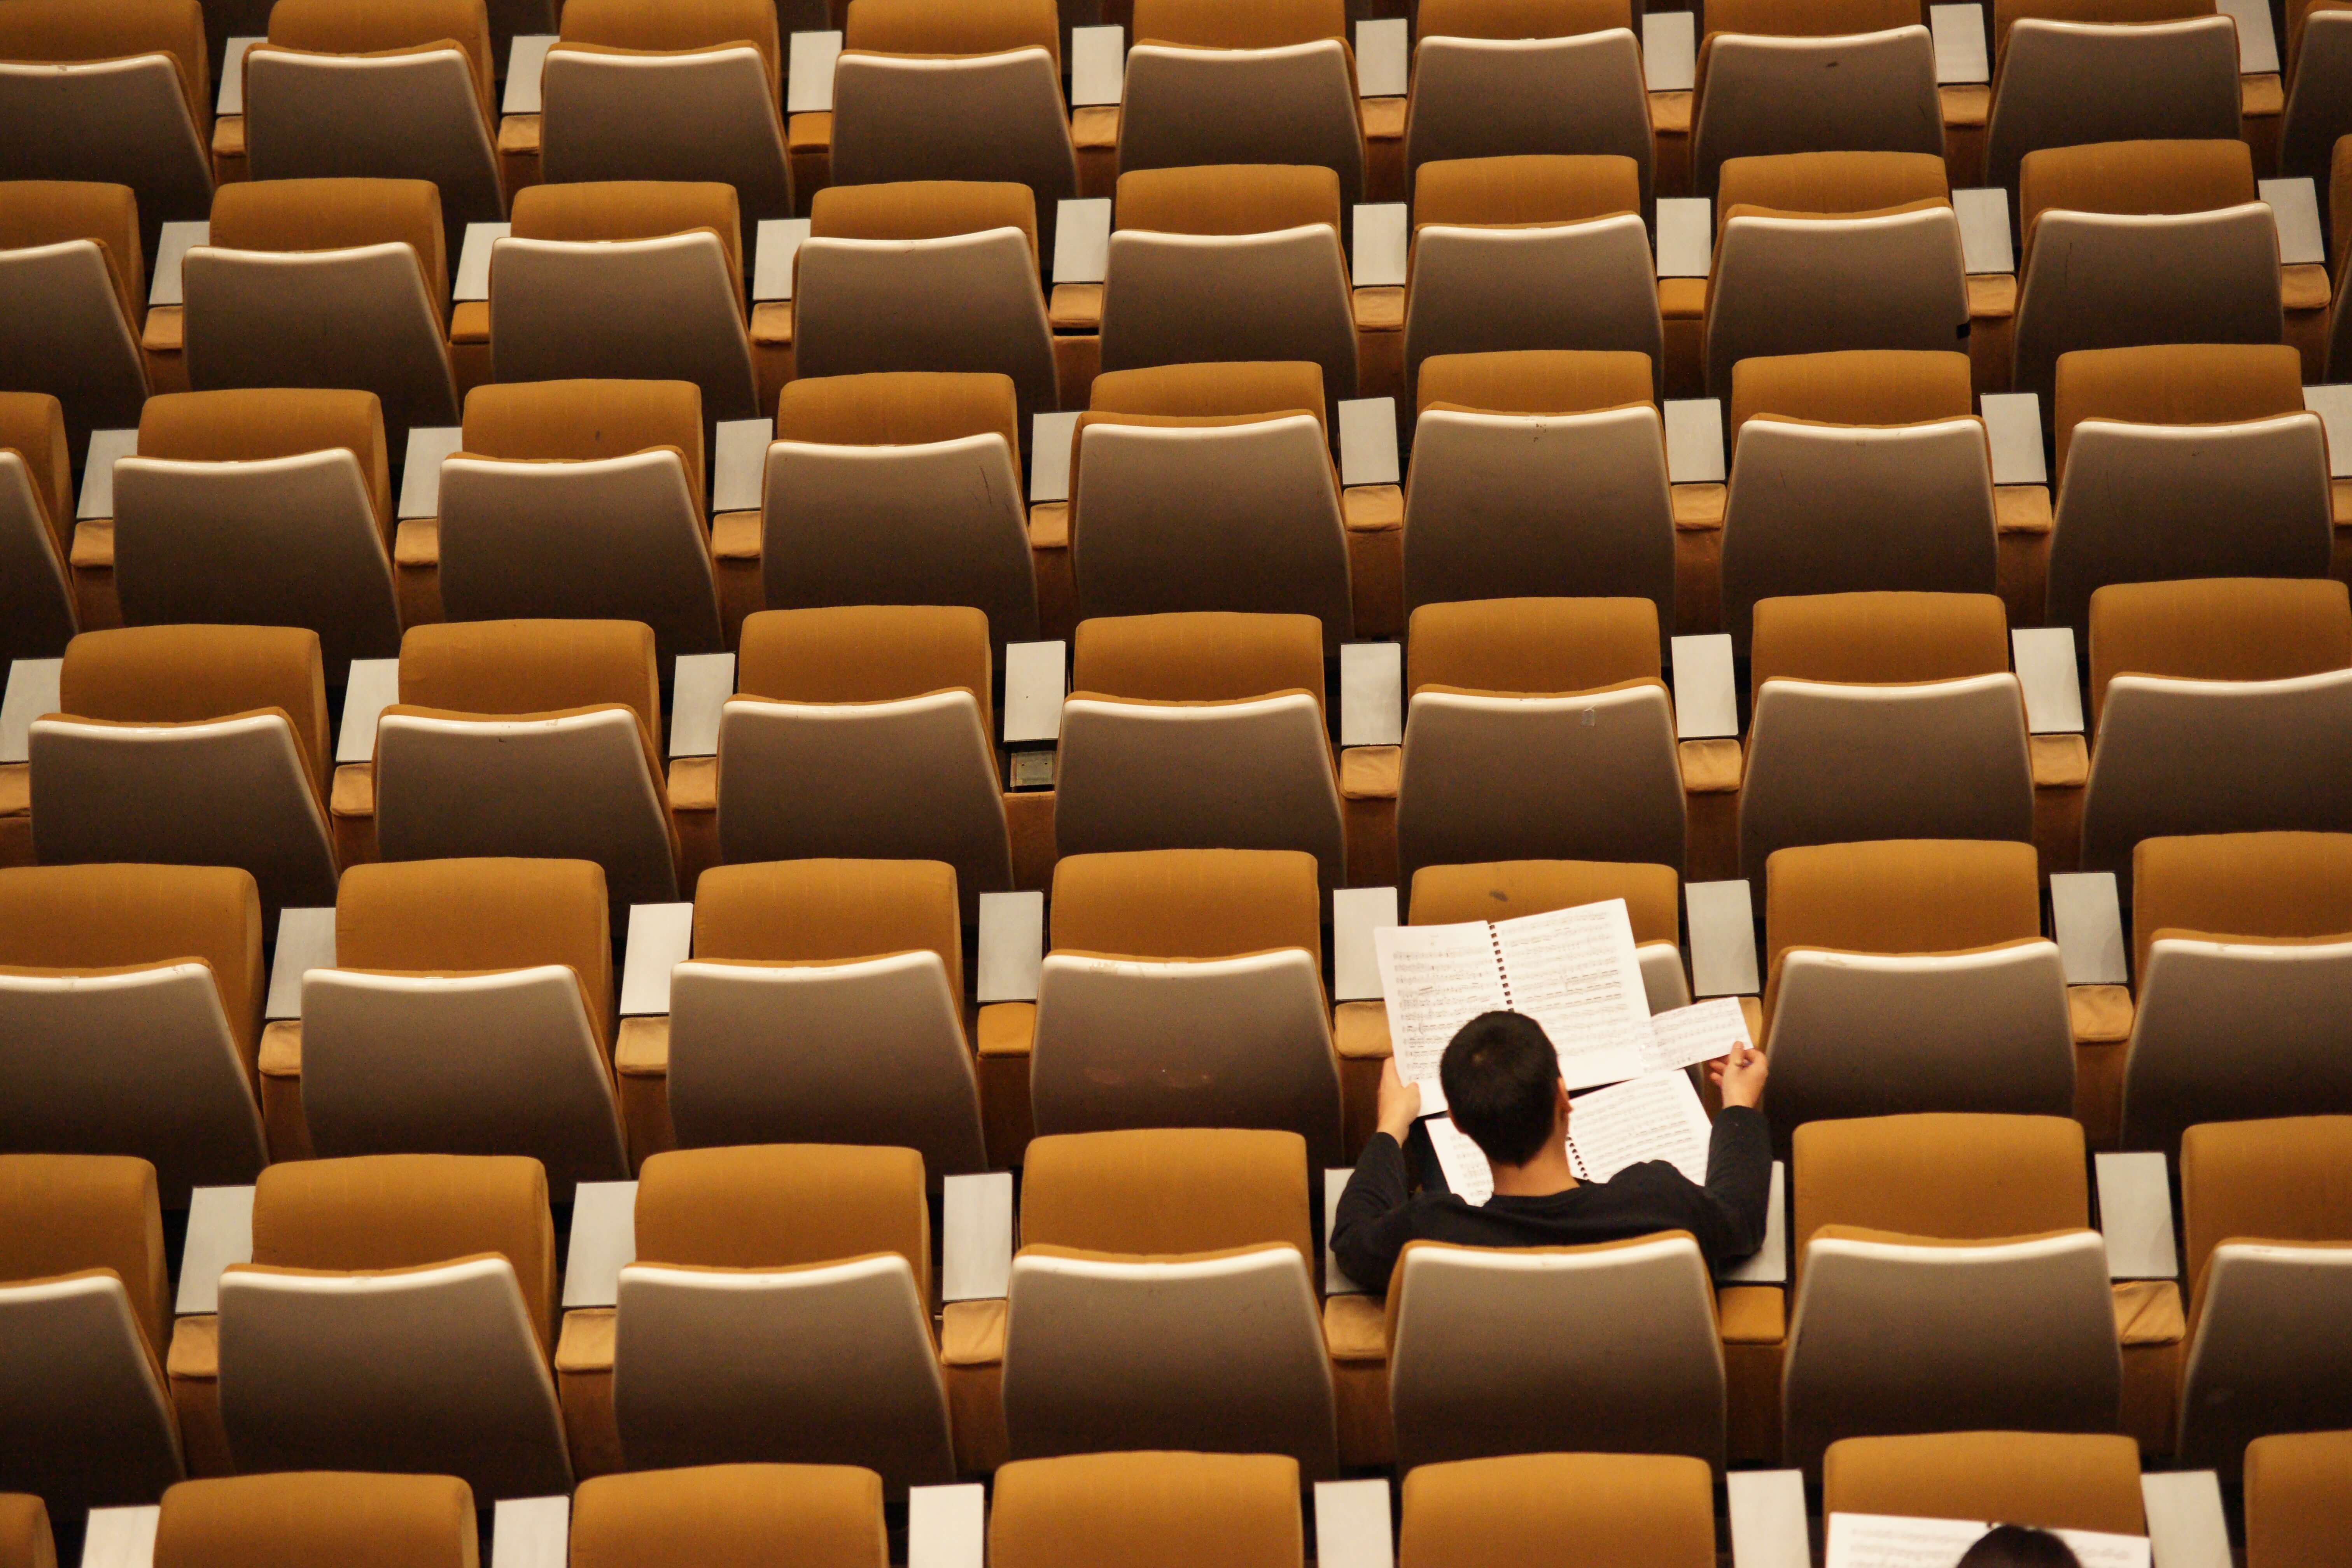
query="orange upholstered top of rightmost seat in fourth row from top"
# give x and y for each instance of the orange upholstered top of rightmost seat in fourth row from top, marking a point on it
(2219, 629)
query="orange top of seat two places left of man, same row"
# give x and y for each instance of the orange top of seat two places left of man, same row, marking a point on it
(784, 1205)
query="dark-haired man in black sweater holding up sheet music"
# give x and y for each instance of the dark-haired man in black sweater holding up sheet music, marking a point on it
(1504, 1090)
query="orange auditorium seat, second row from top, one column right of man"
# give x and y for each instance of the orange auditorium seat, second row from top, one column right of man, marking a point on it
(1833, 250)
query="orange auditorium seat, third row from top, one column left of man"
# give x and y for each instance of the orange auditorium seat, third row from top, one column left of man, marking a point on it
(1210, 488)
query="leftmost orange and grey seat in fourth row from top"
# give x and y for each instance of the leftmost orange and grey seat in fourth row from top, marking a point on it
(192, 746)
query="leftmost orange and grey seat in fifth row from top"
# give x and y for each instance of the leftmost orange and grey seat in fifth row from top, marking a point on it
(133, 996)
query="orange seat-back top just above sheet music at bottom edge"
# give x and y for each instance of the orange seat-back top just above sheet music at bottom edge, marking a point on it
(2045, 1480)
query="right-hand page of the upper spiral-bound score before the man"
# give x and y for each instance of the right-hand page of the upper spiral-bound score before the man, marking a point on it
(1577, 974)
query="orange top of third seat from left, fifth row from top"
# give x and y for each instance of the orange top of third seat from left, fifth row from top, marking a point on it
(822, 911)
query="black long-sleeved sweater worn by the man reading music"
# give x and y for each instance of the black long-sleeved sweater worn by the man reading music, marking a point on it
(1379, 1212)
